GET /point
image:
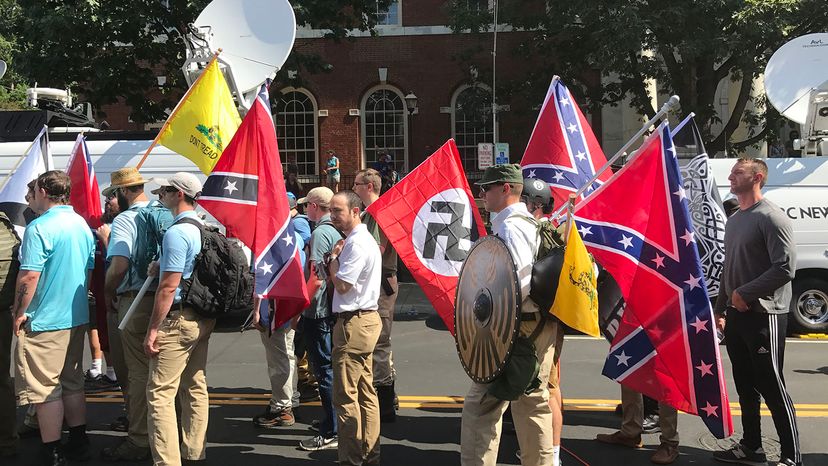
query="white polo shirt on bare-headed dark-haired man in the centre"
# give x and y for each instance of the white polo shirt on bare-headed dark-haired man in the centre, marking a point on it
(360, 264)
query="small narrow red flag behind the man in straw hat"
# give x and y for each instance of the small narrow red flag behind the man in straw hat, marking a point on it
(85, 196)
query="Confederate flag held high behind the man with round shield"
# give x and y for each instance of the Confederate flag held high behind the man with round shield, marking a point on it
(562, 149)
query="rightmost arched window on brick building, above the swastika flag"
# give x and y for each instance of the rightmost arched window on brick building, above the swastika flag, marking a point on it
(471, 122)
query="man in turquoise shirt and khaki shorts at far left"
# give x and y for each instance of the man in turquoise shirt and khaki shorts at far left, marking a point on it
(51, 315)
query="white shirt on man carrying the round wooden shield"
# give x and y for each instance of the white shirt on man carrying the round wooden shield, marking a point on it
(521, 237)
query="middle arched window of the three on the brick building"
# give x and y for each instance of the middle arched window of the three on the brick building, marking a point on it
(384, 127)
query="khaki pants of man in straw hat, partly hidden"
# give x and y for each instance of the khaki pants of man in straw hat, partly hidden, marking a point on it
(137, 363)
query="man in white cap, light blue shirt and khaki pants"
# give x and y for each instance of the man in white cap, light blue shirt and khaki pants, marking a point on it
(177, 338)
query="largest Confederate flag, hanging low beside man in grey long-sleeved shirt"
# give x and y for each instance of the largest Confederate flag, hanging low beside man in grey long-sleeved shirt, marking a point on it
(666, 345)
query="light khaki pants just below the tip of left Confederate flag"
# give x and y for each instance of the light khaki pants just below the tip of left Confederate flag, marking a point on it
(281, 367)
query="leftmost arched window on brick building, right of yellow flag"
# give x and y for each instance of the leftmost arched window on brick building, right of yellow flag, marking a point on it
(295, 120)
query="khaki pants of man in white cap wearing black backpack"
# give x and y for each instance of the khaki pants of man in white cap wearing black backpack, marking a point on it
(180, 367)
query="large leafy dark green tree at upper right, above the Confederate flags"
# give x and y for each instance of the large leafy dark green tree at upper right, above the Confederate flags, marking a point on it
(687, 46)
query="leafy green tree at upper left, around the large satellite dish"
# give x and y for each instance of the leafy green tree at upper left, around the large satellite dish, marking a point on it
(113, 50)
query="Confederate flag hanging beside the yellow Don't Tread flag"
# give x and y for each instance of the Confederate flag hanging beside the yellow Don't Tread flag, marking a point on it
(246, 193)
